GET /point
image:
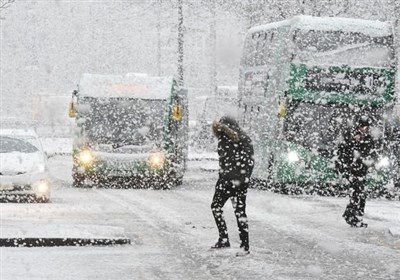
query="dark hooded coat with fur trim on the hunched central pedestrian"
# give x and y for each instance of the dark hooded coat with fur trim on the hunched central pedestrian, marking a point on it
(235, 150)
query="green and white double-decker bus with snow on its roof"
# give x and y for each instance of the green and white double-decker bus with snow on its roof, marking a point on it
(302, 82)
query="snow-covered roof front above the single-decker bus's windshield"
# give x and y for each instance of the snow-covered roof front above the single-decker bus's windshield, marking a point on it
(131, 85)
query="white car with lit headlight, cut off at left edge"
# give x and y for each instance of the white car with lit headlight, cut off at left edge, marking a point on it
(23, 169)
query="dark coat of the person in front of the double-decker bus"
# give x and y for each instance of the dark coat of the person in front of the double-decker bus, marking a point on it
(355, 153)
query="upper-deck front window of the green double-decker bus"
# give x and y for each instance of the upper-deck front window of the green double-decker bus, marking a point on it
(338, 48)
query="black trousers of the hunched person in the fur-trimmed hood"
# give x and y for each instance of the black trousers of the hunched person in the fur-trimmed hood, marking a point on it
(224, 190)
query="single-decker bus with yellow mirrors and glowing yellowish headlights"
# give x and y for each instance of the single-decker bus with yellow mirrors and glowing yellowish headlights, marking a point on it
(131, 131)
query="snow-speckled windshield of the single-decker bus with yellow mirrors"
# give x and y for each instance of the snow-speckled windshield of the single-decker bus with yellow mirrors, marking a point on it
(122, 122)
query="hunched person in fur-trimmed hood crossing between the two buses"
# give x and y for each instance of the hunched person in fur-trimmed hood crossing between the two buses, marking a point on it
(236, 163)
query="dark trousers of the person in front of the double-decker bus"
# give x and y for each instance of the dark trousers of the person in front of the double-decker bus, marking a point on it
(355, 209)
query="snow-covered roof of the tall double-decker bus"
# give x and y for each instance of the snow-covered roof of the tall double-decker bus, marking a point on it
(369, 27)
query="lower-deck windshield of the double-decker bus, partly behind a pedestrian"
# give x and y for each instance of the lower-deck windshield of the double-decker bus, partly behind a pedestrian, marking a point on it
(320, 127)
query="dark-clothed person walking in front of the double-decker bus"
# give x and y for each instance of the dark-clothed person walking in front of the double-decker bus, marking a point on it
(354, 159)
